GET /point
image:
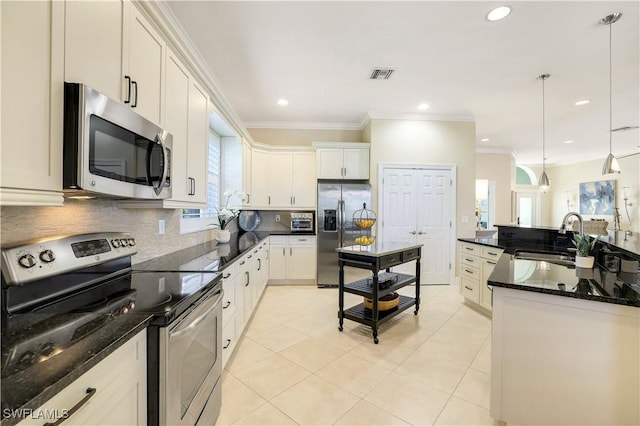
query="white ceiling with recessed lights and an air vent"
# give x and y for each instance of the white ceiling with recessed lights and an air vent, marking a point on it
(319, 54)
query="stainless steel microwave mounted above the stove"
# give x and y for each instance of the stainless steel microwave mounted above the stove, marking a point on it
(110, 150)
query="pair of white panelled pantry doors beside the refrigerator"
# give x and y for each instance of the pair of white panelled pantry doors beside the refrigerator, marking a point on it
(417, 209)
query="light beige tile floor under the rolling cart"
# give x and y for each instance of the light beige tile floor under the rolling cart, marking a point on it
(293, 366)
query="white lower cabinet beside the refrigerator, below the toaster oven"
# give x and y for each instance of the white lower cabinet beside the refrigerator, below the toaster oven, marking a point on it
(292, 258)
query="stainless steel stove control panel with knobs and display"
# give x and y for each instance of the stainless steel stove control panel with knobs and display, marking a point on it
(36, 259)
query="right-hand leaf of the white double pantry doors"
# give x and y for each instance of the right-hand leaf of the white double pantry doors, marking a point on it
(434, 224)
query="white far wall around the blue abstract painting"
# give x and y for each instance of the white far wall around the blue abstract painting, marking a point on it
(568, 177)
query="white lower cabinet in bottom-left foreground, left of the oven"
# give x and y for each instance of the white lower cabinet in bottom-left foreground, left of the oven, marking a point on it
(120, 395)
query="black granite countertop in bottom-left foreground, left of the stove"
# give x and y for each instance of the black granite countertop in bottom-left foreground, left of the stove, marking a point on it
(30, 386)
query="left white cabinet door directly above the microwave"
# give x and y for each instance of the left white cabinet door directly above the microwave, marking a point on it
(93, 45)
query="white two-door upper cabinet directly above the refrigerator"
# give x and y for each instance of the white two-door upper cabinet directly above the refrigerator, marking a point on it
(342, 161)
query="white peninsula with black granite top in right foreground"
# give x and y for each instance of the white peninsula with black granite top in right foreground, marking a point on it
(565, 344)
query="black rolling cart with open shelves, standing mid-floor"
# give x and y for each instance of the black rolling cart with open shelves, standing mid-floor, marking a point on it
(377, 257)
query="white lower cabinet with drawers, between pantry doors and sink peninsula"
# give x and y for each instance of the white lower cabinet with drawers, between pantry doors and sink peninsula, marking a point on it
(476, 264)
